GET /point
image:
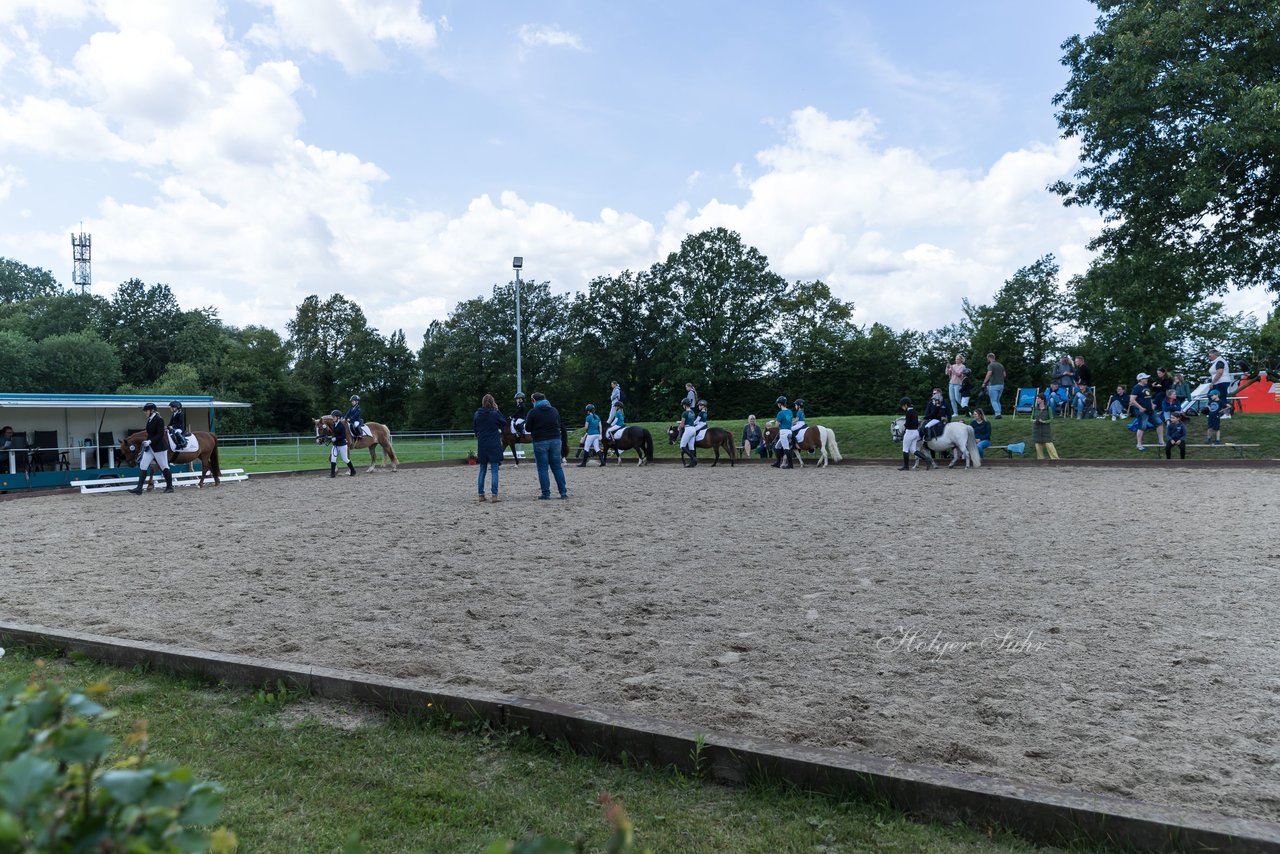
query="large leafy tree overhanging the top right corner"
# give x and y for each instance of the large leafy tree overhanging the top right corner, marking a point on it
(1174, 106)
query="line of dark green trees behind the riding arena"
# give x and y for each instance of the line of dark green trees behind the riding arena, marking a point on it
(712, 313)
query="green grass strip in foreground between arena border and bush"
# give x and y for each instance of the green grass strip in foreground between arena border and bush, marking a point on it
(304, 777)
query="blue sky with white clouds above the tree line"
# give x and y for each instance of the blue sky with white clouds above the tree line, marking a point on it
(250, 153)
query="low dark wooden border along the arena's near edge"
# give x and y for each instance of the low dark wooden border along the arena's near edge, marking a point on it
(1039, 814)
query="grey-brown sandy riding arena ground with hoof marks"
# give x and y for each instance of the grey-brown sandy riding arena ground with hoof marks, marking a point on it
(1103, 629)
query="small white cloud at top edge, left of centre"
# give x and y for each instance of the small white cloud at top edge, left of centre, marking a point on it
(350, 31)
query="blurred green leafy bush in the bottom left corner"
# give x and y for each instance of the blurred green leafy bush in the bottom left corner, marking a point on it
(58, 792)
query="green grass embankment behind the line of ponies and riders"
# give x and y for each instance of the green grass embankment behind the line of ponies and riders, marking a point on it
(861, 437)
